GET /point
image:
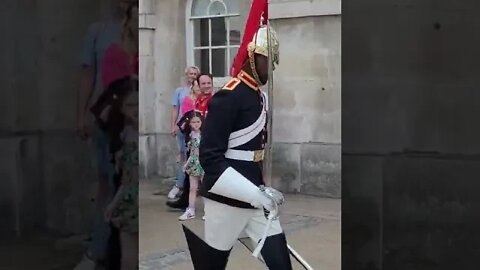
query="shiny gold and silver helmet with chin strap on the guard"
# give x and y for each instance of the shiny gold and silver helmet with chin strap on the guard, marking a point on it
(264, 37)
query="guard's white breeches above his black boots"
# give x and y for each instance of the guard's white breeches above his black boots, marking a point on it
(224, 224)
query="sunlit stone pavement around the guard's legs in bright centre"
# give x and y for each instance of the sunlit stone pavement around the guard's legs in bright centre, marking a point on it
(312, 225)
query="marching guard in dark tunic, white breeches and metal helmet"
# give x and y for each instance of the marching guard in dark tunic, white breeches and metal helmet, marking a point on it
(232, 147)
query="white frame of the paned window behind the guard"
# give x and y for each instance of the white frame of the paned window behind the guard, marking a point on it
(190, 46)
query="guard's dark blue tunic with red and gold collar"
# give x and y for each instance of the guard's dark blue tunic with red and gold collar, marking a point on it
(236, 106)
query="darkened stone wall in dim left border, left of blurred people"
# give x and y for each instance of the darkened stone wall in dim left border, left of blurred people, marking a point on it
(47, 173)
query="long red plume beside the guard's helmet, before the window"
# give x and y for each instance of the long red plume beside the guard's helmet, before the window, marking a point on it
(259, 8)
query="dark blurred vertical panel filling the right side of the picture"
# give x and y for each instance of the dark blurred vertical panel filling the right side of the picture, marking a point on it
(411, 153)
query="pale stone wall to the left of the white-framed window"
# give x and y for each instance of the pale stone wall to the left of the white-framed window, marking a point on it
(164, 61)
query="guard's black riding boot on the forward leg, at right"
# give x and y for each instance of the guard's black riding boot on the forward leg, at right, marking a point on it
(275, 253)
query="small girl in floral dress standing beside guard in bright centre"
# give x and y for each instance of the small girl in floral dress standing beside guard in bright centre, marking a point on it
(192, 167)
